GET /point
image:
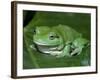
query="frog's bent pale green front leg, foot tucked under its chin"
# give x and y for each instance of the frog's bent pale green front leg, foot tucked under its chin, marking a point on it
(64, 52)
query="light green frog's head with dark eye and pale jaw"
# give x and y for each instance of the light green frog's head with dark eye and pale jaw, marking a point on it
(47, 39)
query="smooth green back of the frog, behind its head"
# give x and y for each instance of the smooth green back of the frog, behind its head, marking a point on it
(67, 33)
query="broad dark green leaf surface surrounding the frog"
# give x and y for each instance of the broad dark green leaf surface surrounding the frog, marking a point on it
(34, 59)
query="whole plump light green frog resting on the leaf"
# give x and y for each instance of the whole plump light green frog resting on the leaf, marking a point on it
(58, 40)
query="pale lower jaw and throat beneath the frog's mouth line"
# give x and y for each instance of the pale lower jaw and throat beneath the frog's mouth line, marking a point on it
(46, 48)
